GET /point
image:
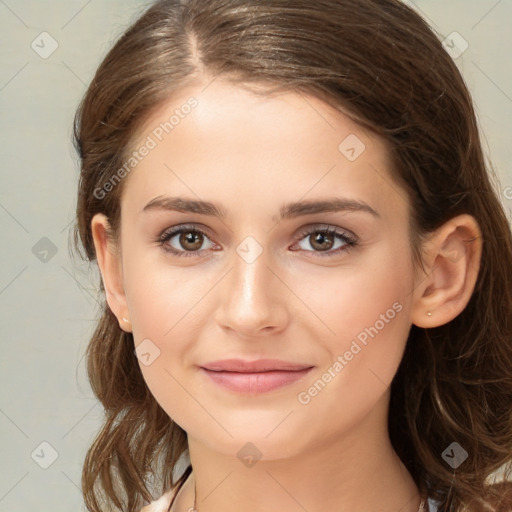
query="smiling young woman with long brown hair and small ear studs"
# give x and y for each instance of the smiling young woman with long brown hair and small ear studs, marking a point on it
(307, 271)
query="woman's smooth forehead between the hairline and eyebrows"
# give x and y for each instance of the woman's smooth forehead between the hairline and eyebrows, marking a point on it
(223, 139)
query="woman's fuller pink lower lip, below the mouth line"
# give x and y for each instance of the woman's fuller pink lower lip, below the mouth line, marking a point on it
(254, 383)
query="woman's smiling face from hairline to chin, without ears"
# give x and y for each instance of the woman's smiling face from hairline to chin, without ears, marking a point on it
(302, 254)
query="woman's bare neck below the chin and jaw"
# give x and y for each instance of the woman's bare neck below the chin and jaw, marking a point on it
(356, 471)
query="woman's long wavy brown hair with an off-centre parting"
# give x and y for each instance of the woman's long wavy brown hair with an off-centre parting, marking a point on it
(379, 61)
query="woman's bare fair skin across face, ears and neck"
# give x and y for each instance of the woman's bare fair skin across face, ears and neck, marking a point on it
(252, 154)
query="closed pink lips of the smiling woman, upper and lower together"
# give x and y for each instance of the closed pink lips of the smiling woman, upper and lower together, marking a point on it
(255, 376)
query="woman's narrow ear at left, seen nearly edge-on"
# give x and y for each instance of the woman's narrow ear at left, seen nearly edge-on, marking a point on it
(109, 262)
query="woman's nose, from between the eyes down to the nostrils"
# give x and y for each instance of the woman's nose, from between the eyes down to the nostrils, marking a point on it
(252, 300)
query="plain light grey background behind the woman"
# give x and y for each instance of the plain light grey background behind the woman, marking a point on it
(48, 308)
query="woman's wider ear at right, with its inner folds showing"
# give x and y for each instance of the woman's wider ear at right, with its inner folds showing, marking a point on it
(451, 257)
